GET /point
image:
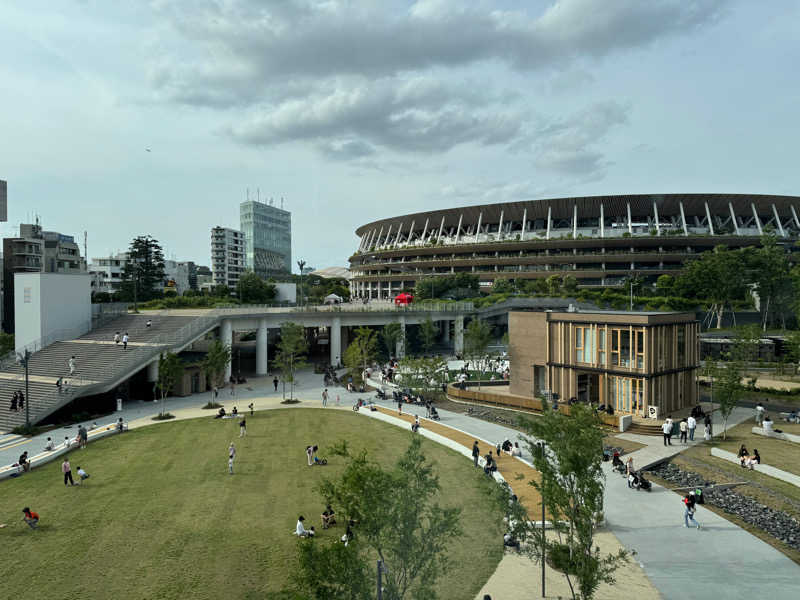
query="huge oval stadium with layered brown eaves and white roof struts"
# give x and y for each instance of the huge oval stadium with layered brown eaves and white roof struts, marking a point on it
(599, 240)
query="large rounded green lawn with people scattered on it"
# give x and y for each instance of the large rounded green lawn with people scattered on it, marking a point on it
(161, 517)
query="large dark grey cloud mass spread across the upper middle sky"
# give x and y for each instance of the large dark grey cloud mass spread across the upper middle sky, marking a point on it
(360, 79)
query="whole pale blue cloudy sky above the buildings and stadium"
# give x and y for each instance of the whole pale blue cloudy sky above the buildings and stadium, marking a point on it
(355, 111)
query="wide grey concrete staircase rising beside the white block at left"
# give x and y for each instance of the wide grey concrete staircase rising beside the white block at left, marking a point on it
(99, 364)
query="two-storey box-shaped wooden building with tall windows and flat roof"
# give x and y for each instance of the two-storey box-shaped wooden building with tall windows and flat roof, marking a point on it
(630, 360)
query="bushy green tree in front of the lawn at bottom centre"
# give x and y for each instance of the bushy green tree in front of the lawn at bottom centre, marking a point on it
(399, 518)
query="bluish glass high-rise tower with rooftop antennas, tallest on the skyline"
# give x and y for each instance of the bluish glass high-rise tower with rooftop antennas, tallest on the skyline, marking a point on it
(268, 238)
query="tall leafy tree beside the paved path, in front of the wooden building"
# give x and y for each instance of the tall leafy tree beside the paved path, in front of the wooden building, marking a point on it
(571, 484)
